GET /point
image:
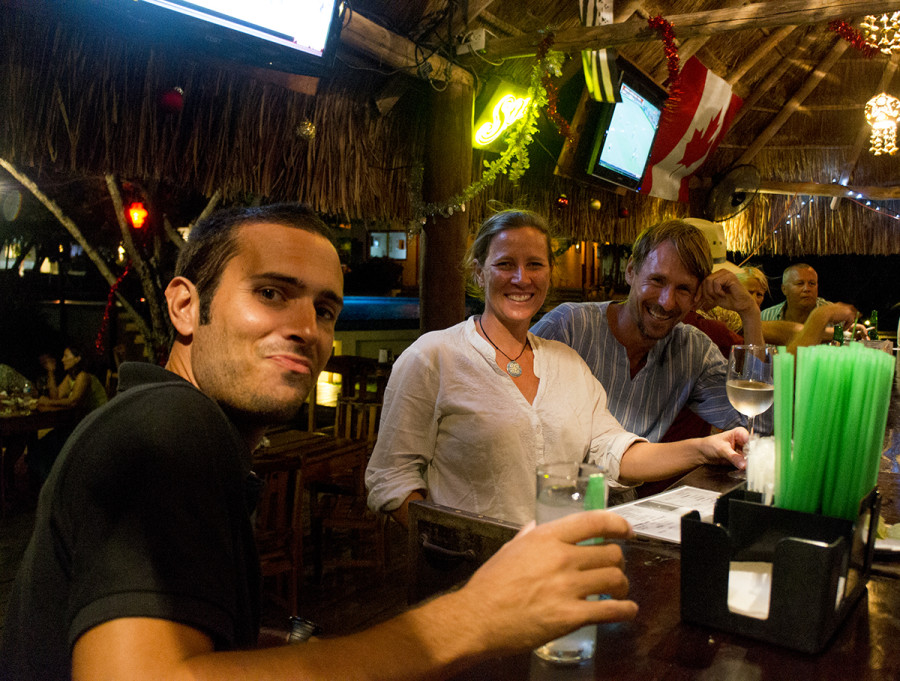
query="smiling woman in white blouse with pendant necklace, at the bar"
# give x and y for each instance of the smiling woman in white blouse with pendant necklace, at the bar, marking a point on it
(470, 411)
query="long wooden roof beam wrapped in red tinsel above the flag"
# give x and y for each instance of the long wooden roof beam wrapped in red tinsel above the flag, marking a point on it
(712, 22)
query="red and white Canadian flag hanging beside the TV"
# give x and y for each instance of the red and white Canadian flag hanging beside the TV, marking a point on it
(689, 131)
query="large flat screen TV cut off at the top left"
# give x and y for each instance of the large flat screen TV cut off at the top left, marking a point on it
(296, 36)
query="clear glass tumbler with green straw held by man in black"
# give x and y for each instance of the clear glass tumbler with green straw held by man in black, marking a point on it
(564, 488)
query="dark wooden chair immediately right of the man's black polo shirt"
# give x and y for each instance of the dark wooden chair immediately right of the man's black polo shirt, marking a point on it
(279, 534)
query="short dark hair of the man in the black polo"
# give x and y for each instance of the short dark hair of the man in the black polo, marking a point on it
(213, 242)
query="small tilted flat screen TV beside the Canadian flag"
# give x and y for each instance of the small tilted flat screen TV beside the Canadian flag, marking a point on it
(624, 132)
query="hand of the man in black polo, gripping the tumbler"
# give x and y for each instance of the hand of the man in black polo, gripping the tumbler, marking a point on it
(534, 589)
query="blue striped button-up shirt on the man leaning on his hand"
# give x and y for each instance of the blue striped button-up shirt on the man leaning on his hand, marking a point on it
(684, 368)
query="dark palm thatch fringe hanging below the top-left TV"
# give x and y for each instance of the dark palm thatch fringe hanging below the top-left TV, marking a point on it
(87, 104)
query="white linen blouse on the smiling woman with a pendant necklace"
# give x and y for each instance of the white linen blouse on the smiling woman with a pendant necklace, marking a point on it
(454, 423)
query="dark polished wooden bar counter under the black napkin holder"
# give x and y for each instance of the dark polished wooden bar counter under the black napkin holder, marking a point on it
(658, 645)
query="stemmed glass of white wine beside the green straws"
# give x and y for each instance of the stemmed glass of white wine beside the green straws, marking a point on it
(750, 385)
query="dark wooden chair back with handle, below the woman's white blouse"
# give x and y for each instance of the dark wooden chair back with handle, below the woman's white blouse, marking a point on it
(447, 545)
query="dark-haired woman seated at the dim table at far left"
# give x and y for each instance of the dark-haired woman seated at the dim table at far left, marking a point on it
(79, 391)
